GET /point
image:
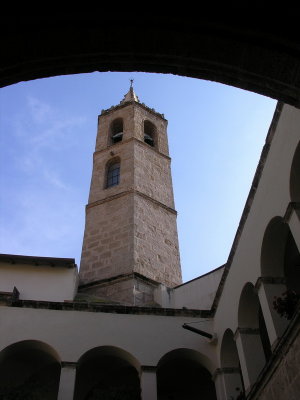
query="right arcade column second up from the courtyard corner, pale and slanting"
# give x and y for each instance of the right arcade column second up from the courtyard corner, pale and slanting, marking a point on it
(251, 354)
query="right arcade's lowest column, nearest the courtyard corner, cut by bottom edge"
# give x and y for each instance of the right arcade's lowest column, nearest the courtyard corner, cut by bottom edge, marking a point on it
(228, 383)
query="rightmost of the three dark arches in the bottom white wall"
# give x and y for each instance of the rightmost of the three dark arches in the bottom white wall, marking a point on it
(183, 373)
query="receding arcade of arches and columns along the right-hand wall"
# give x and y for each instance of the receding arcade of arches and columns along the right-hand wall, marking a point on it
(246, 350)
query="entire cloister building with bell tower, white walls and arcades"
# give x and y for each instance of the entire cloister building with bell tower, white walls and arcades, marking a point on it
(230, 334)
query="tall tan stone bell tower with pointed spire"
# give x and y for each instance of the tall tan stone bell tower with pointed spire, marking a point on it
(130, 243)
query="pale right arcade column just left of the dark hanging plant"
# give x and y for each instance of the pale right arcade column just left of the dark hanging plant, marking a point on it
(267, 289)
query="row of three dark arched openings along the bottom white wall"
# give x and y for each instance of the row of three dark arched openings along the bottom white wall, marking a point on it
(32, 369)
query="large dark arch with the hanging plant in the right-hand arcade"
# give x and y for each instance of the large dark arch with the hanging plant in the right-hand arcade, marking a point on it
(279, 284)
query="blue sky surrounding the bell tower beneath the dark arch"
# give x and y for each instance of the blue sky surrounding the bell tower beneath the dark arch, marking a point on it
(47, 136)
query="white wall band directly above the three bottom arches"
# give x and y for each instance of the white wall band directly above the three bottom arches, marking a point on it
(71, 333)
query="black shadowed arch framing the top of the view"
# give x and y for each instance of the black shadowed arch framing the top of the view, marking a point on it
(240, 46)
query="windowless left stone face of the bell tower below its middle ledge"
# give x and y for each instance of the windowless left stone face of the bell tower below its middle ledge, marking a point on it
(108, 239)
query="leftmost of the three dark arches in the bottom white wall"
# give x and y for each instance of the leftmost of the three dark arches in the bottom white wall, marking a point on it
(28, 368)
